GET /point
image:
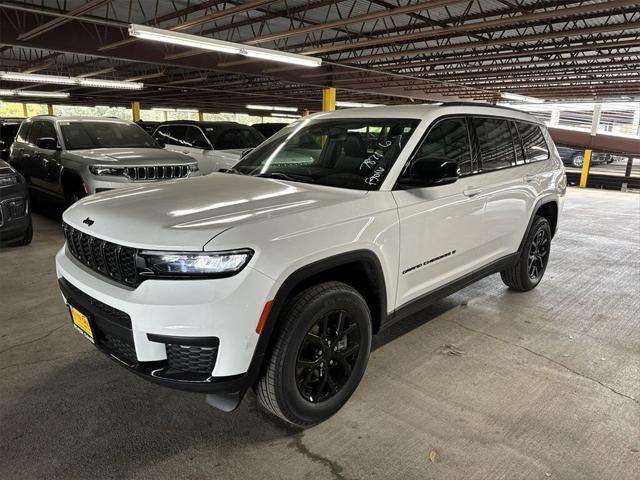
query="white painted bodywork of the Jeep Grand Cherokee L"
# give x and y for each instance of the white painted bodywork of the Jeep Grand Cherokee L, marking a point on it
(290, 225)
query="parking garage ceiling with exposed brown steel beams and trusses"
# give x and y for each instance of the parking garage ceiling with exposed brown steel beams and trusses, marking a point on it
(378, 51)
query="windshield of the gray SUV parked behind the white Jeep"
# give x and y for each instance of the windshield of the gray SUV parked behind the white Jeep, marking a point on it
(84, 135)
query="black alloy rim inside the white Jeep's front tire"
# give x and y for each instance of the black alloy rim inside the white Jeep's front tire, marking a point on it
(327, 356)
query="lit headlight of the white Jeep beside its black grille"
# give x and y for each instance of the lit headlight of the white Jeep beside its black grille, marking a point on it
(212, 264)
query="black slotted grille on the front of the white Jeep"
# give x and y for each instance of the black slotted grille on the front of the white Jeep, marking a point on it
(114, 261)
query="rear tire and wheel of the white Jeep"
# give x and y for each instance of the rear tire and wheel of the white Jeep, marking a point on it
(532, 263)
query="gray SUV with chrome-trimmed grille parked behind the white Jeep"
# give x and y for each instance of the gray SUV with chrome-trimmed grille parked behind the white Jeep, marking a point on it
(71, 157)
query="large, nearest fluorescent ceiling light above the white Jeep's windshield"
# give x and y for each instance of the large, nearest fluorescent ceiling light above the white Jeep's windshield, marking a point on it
(195, 41)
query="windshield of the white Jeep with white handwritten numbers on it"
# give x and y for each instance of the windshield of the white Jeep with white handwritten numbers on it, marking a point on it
(346, 153)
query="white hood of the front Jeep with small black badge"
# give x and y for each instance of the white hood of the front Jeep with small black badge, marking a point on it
(186, 214)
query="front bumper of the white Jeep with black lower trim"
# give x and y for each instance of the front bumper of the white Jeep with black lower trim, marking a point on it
(196, 335)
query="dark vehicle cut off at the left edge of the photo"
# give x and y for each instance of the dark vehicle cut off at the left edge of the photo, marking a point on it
(15, 217)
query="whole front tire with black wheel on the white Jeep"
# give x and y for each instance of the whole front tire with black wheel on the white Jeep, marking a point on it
(320, 355)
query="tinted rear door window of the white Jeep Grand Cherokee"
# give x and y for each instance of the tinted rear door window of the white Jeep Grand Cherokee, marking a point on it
(495, 143)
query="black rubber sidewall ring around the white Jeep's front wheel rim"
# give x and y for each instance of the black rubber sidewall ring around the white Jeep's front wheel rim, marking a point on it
(294, 403)
